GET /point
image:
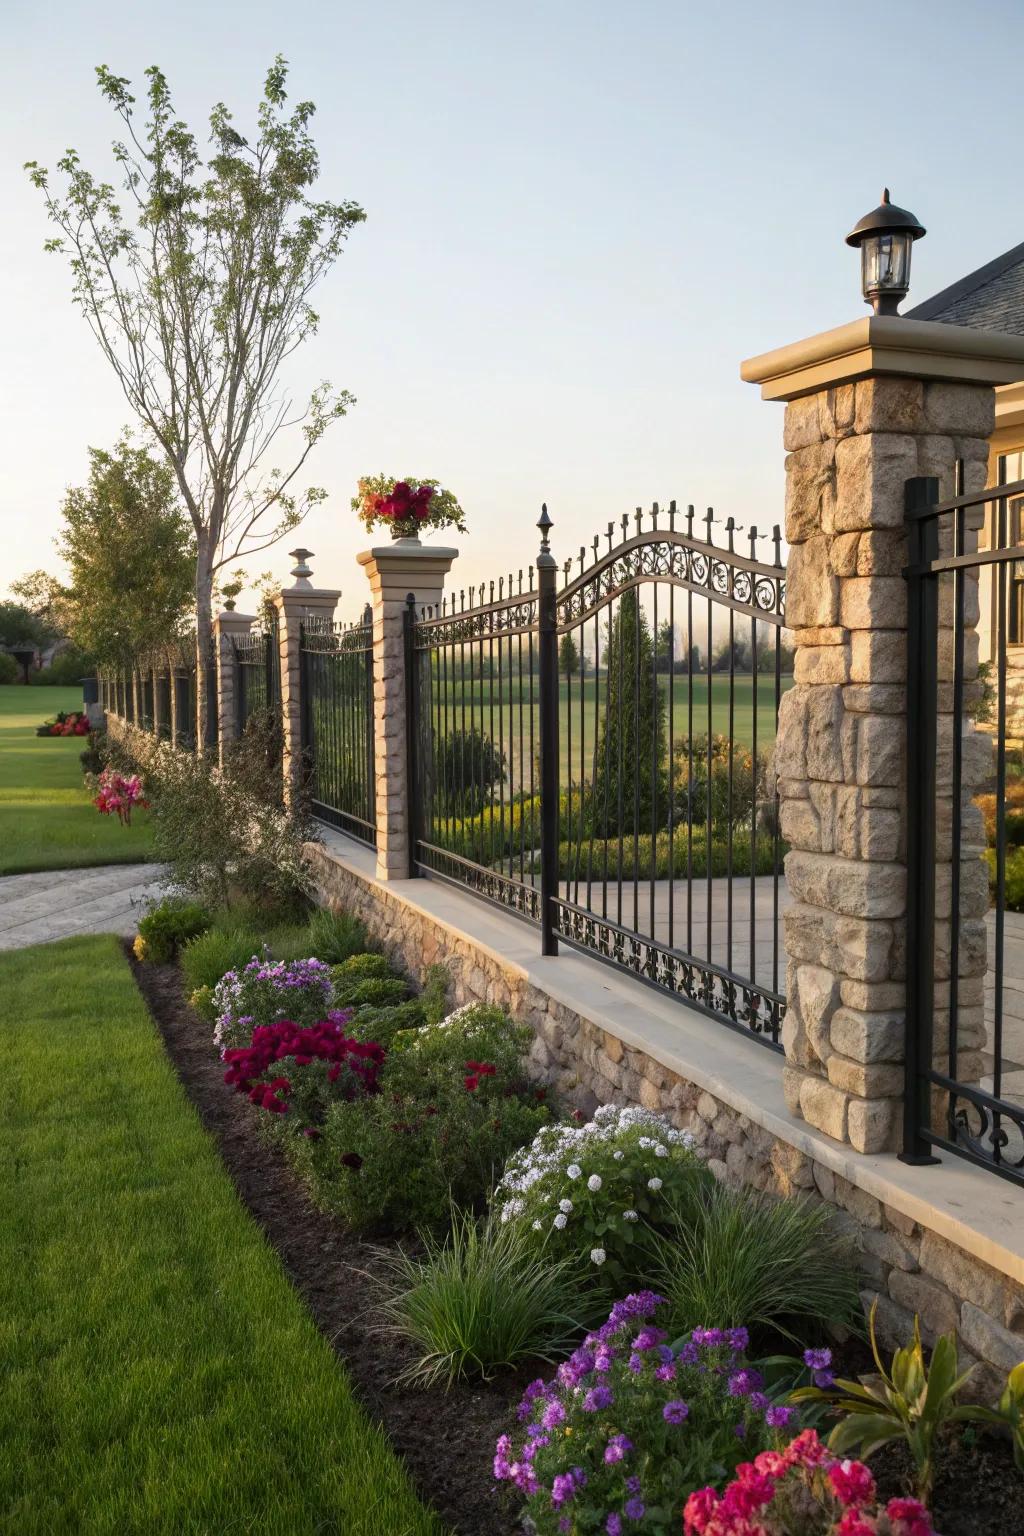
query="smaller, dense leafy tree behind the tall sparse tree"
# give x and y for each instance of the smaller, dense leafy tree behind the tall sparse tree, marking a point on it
(131, 558)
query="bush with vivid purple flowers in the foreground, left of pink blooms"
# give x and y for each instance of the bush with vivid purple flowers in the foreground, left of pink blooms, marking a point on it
(630, 1425)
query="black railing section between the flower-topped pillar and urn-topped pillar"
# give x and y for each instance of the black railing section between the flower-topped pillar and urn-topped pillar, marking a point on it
(337, 692)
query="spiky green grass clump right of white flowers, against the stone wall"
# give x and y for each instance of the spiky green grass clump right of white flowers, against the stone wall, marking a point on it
(756, 1263)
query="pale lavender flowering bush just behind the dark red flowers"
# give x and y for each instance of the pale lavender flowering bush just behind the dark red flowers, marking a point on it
(266, 991)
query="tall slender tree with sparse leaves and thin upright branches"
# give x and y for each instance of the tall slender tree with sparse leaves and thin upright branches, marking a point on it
(199, 290)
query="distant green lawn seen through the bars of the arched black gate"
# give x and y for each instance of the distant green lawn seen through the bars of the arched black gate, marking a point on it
(507, 723)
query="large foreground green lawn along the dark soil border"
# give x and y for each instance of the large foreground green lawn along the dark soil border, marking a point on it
(159, 1372)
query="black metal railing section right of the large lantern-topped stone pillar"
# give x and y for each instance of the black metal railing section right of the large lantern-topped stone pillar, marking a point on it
(965, 1051)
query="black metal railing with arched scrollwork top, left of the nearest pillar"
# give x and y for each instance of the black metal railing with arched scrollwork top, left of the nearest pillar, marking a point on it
(576, 761)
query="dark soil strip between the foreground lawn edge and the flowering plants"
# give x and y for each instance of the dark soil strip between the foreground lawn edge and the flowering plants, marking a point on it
(444, 1438)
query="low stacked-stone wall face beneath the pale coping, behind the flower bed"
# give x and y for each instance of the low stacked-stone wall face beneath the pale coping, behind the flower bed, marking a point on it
(907, 1268)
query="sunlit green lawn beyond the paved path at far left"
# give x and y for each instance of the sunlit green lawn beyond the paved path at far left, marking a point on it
(47, 819)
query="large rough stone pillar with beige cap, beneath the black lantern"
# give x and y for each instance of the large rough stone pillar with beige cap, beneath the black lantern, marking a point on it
(870, 406)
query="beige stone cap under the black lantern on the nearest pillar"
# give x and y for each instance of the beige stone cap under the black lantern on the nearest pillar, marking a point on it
(887, 345)
